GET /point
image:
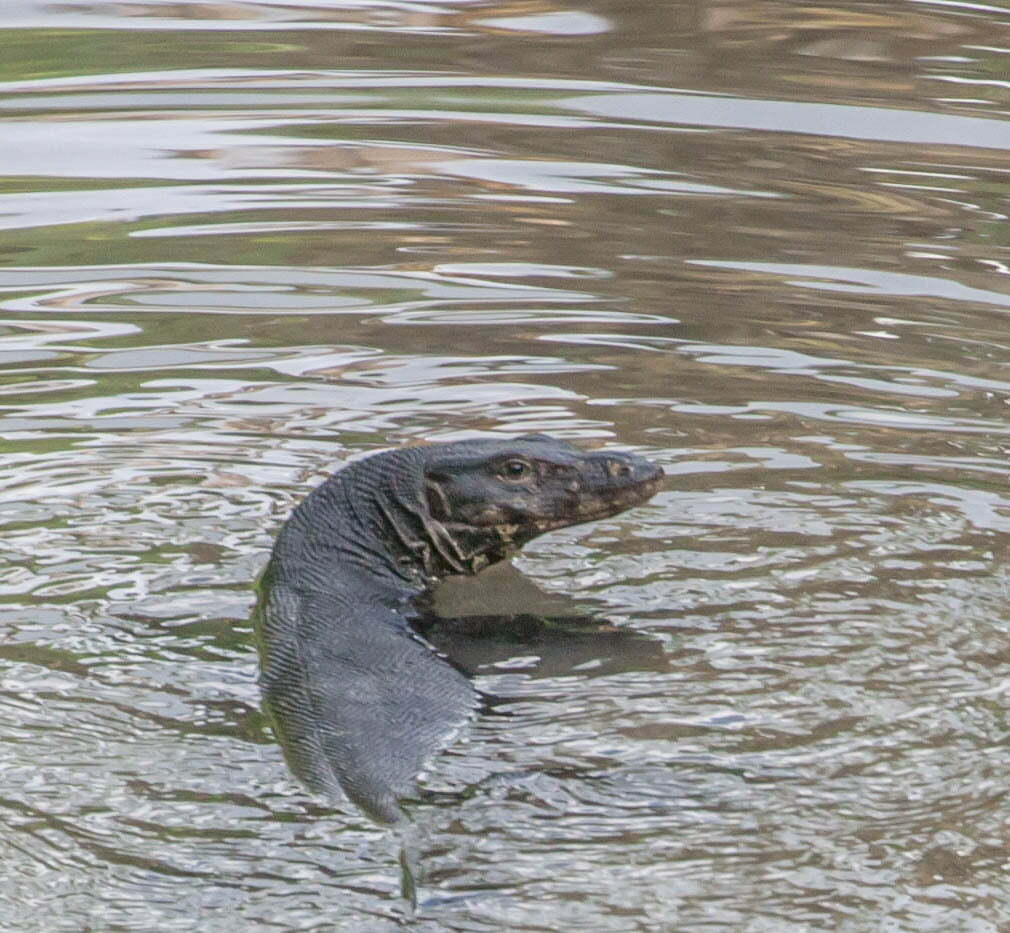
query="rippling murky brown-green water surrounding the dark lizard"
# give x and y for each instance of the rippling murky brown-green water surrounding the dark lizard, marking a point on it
(765, 244)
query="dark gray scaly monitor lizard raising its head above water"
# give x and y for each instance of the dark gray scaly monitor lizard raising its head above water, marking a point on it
(359, 699)
